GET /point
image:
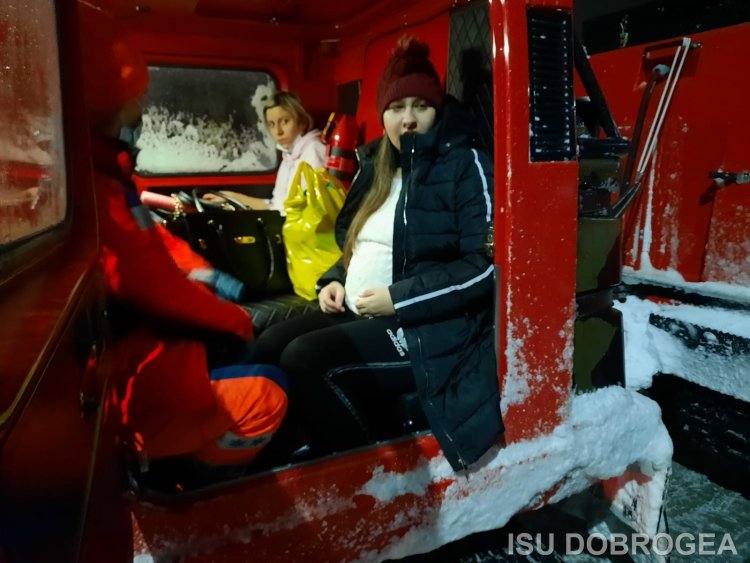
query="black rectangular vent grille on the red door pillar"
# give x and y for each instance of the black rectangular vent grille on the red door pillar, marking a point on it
(551, 102)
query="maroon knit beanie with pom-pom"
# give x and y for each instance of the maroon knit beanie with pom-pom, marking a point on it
(408, 73)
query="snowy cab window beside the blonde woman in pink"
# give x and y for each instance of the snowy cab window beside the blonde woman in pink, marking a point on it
(205, 121)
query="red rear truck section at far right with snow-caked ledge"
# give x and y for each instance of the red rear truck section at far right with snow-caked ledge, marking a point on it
(686, 297)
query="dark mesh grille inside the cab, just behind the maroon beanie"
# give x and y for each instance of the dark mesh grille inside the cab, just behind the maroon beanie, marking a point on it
(469, 77)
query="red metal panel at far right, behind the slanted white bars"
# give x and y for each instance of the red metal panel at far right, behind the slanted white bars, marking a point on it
(703, 131)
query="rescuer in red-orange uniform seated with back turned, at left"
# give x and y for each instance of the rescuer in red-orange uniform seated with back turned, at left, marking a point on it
(173, 402)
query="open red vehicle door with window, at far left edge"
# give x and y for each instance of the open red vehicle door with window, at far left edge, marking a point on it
(59, 477)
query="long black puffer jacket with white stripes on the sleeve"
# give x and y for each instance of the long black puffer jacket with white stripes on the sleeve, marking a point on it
(443, 283)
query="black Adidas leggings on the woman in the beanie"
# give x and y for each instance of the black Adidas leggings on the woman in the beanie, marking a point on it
(339, 366)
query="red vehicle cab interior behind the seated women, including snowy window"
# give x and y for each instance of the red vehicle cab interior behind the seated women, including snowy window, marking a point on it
(203, 126)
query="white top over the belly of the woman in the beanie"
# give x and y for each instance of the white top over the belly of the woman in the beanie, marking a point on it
(371, 265)
